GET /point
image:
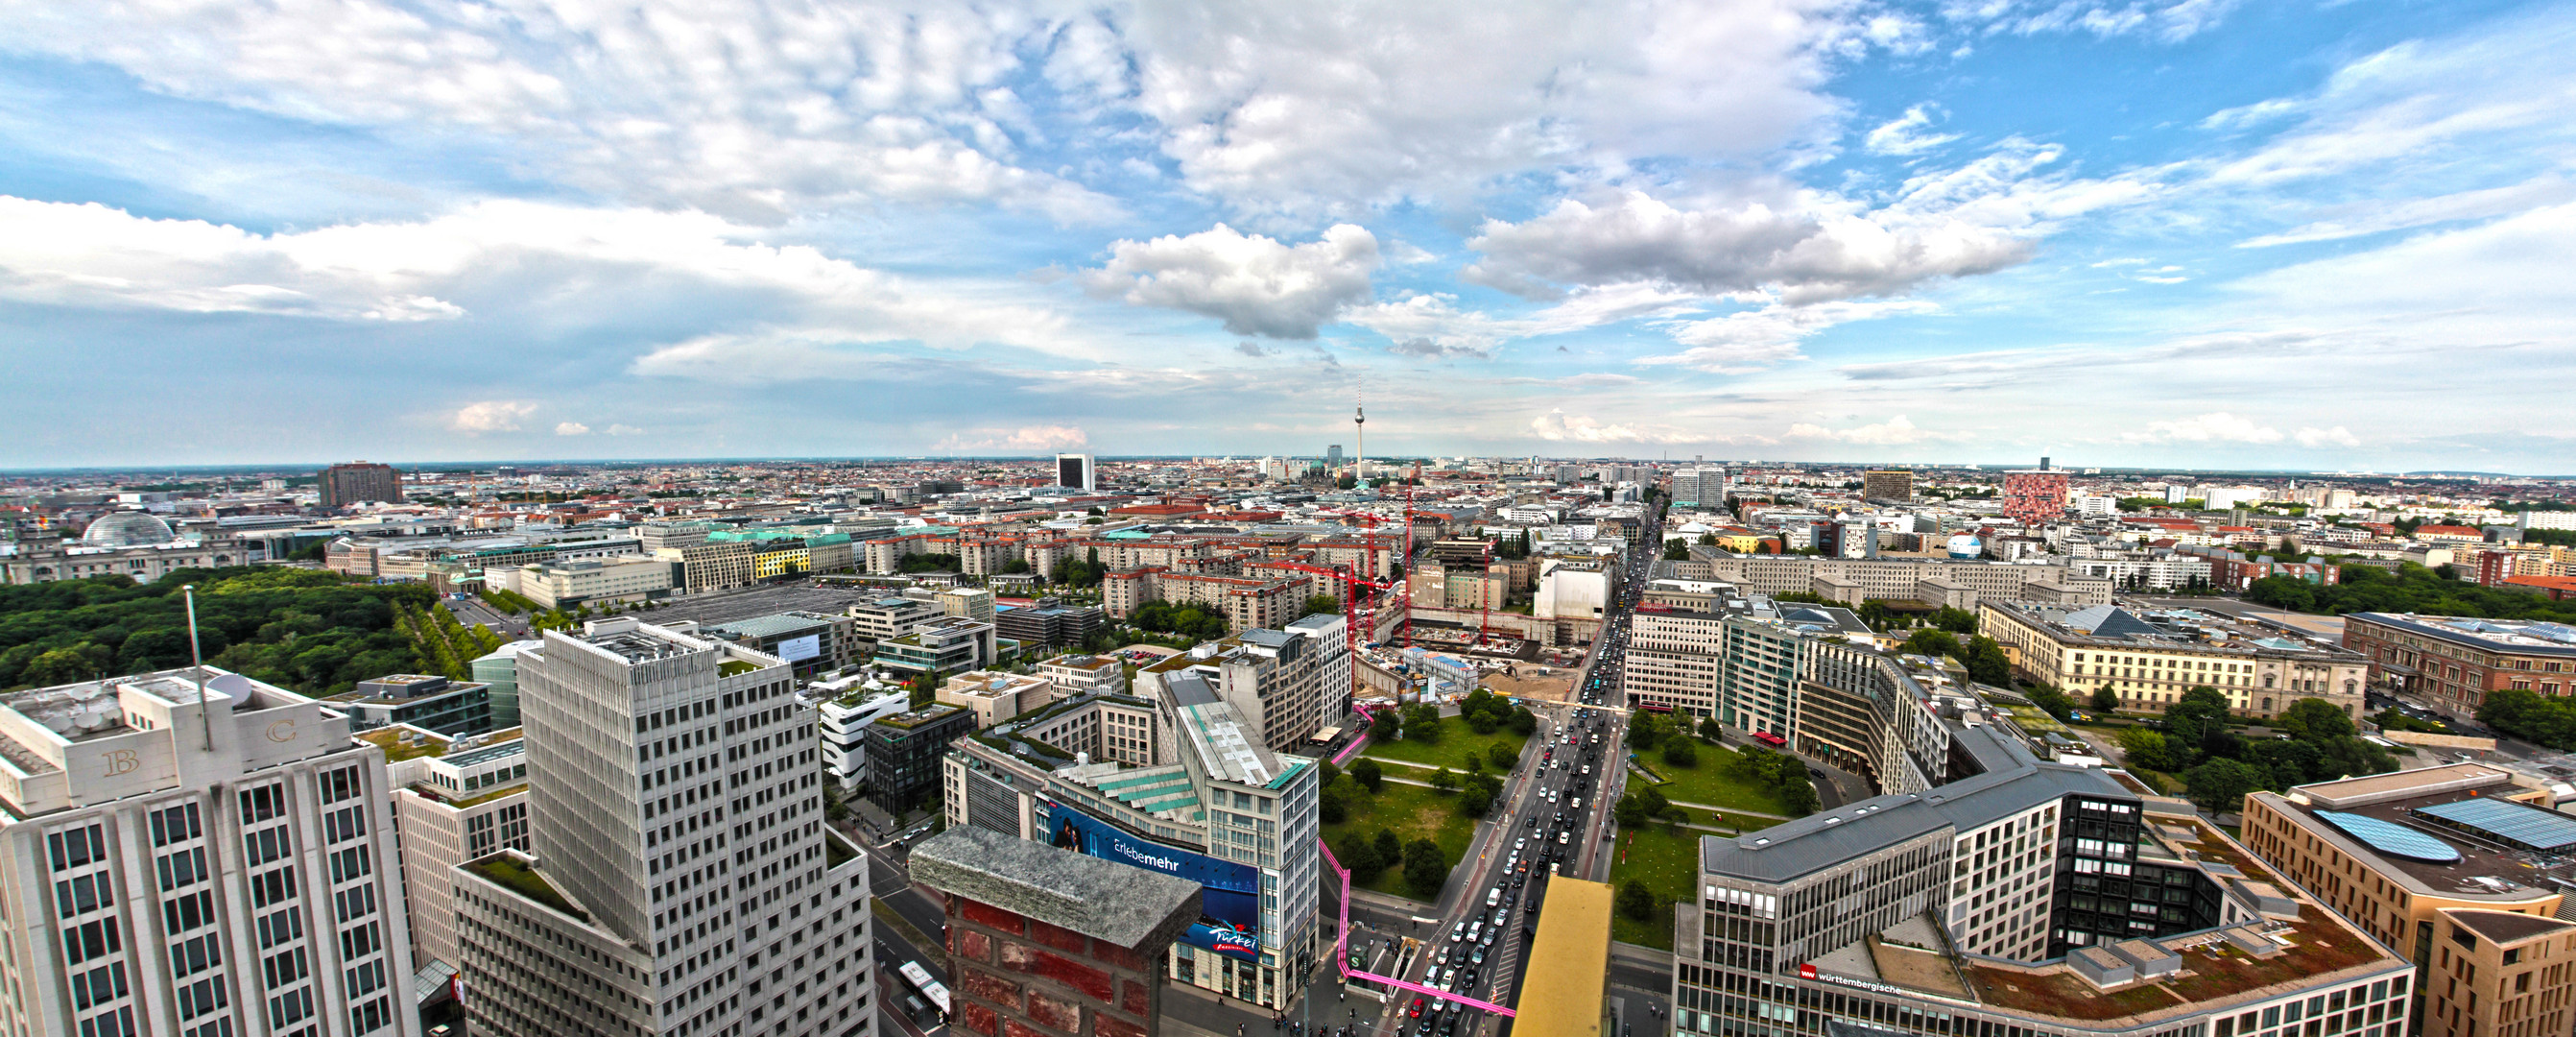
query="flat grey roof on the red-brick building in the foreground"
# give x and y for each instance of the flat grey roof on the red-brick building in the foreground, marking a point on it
(1119, 904)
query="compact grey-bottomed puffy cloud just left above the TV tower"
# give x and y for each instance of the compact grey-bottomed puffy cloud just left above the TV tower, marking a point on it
(1253, 282)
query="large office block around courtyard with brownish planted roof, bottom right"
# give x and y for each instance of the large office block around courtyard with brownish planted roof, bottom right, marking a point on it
(2029, 899)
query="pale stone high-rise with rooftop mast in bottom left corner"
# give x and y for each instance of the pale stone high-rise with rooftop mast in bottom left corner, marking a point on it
(200, 873)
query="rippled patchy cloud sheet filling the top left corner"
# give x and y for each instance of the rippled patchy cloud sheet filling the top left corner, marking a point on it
(743, 107)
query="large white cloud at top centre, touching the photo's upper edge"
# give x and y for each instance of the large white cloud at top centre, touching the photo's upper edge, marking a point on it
(1300, 110)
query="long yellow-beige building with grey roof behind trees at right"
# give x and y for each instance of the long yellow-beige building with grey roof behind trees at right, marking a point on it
(2152, 659)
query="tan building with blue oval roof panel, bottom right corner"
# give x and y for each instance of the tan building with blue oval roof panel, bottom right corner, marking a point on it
(2451, 871)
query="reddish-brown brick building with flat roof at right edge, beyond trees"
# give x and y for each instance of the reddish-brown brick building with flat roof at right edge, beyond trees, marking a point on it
(2459, 662)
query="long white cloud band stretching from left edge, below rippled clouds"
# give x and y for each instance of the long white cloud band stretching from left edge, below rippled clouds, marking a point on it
(565, 264)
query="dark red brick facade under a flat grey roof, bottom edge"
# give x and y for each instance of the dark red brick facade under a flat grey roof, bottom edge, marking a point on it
(1029, 979)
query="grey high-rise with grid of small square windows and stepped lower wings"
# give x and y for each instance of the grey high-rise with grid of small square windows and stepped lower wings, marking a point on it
(681, 876)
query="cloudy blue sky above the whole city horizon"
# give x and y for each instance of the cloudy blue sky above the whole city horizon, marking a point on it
(2160, 233)
